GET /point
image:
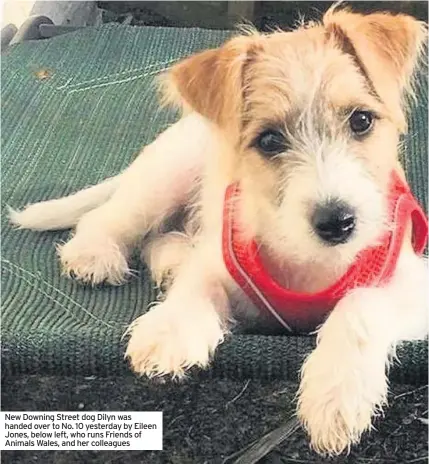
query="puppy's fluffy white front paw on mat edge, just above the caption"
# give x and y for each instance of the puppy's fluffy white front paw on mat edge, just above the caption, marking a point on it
(168, 341)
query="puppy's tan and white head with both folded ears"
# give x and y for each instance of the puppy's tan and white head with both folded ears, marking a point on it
(314, 117)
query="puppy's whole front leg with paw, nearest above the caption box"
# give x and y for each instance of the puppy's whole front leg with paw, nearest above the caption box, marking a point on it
(185, 329)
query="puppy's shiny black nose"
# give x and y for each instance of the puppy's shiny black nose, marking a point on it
(334, 222)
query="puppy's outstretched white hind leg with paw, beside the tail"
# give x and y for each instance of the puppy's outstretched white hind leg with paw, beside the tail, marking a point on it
(156, 184)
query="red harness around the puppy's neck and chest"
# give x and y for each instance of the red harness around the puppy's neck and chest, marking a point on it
(303, 312)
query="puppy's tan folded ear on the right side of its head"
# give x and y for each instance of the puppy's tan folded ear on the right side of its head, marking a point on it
(386, 46)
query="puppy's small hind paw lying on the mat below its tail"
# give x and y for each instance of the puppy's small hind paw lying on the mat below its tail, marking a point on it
(93, 260)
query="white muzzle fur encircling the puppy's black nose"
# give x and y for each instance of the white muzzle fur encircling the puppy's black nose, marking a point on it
(327, 170)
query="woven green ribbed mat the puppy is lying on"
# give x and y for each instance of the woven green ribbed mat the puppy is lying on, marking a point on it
(76, 109)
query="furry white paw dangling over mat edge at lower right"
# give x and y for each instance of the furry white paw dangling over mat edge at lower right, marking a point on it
(337, 398)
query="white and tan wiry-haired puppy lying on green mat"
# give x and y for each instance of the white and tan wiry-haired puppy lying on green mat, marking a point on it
(307, 123)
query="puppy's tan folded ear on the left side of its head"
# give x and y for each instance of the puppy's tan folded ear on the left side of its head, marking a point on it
(212, 82)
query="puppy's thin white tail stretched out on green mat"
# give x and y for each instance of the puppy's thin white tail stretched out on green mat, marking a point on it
(65, 212)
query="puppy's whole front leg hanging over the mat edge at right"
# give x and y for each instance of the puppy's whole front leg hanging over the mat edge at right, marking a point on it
(344, 382)
